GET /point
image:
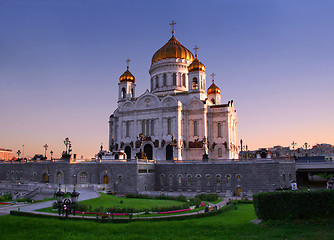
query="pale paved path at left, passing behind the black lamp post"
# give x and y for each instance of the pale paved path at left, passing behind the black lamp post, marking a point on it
(84, 195)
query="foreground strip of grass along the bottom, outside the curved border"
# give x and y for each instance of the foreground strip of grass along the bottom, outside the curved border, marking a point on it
(234, 224)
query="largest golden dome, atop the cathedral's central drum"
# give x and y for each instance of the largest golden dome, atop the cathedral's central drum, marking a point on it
(172, 49)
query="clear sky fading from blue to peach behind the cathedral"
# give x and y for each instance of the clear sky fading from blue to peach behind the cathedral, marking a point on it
(60, 62)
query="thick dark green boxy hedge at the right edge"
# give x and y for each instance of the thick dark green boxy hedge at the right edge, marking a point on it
(294, 204)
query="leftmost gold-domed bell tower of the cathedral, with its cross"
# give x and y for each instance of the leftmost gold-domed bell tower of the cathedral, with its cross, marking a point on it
(126, 85)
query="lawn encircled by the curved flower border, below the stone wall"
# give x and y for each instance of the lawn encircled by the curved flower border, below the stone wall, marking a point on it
(107, 201)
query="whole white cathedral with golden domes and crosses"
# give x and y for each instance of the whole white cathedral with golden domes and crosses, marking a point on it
(179, 118)
